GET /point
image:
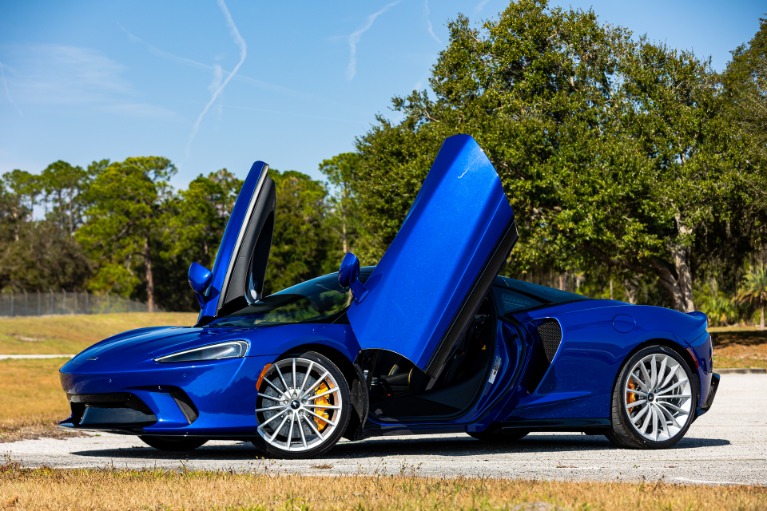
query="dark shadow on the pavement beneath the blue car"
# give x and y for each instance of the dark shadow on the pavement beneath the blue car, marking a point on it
(381, 447)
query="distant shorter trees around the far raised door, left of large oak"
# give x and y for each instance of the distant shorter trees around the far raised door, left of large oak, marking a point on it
(119, 227)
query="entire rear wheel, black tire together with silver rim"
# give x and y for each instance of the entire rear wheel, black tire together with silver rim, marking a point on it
(653, 412)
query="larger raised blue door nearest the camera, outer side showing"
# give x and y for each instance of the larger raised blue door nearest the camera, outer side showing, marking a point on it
(430, 282)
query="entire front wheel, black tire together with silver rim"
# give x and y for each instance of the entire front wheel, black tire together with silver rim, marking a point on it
(310, 414)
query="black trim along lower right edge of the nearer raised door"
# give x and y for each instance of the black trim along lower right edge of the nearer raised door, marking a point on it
(472, 302)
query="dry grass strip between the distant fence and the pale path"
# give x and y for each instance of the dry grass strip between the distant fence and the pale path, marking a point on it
(72, 334)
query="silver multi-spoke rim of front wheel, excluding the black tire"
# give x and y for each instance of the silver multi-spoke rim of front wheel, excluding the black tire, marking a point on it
(300, 405)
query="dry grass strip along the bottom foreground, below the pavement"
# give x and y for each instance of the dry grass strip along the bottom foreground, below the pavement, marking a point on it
(109, 489)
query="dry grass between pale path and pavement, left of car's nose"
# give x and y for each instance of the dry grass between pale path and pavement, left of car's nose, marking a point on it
(31, 399)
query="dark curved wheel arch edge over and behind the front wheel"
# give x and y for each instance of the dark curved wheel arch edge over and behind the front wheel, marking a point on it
(354, 378)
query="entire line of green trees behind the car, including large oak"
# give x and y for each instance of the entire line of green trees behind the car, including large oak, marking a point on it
(635, 171)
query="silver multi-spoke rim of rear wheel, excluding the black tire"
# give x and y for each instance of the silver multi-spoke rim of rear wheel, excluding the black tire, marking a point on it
(657, 397)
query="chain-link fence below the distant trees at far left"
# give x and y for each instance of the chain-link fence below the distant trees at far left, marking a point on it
(39, 303)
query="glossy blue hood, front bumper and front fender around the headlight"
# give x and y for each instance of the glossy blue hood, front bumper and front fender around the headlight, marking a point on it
(222, 390)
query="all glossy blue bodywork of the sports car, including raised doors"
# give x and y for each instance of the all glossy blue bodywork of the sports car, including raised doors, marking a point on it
(406, 305)
